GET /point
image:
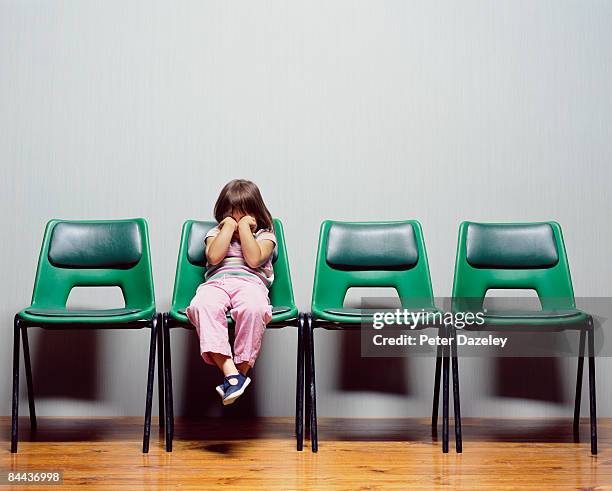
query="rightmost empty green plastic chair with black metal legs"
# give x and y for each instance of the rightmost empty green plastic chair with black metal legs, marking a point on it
(524, 256)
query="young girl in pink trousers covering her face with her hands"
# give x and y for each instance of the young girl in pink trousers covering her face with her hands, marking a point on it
(238, 275)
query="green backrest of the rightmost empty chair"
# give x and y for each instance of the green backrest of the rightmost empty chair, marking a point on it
(512, 256)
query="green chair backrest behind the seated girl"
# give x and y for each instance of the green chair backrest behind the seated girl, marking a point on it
(191, 265)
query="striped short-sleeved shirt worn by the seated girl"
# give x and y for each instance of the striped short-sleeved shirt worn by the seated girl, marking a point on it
(234, 262)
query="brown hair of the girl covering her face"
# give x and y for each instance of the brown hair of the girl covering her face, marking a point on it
(244, 196)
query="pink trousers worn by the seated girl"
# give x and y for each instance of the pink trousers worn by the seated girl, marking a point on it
(246, 297)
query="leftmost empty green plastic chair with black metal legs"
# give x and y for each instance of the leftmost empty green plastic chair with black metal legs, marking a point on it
(90, 253)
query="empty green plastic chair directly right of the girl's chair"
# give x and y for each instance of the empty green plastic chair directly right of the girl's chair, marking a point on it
(368, 254)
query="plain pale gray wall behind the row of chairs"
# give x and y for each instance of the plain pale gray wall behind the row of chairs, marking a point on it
(441, 111)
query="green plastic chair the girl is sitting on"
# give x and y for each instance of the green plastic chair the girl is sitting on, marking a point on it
(190, 270)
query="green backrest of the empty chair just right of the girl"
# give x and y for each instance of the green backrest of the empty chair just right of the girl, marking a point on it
(371, 254)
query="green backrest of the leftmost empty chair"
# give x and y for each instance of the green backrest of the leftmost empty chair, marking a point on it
(95, 253)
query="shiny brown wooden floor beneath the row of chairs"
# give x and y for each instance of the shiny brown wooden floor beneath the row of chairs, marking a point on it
(353, 454)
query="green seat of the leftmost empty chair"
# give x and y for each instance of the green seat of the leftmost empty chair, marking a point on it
(67, 316)
